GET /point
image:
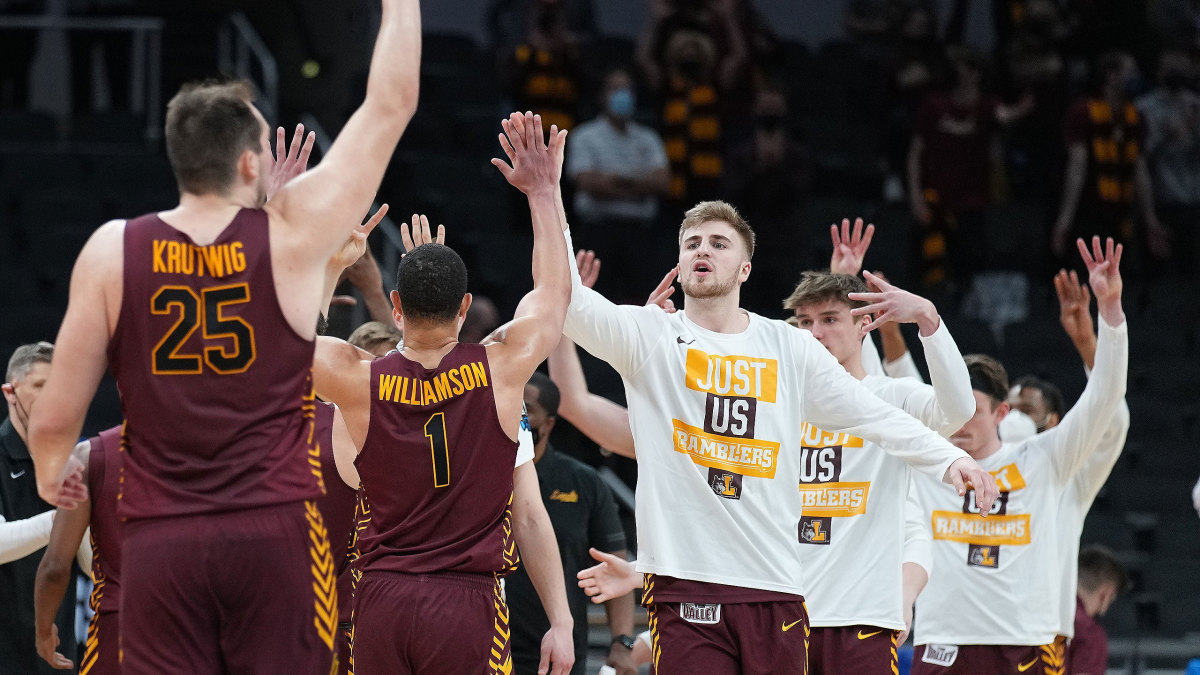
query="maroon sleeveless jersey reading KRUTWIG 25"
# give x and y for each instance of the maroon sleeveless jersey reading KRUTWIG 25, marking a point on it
(215, 385)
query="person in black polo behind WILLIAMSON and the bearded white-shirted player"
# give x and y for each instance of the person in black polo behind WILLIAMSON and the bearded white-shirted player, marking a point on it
(584, 515)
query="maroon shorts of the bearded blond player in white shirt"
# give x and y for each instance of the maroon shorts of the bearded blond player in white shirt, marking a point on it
(763, 638)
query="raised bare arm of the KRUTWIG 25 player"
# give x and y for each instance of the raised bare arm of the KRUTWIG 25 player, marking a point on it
(325, 201)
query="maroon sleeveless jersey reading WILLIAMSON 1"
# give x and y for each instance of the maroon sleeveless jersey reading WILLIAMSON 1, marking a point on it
(437, 468)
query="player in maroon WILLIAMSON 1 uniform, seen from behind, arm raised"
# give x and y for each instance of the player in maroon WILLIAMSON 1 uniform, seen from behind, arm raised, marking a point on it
(443, 416)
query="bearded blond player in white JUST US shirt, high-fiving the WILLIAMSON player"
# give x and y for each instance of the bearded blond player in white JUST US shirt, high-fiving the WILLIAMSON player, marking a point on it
(734, 392)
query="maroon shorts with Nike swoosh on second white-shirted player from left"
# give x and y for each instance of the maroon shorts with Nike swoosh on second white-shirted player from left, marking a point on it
(853, 649)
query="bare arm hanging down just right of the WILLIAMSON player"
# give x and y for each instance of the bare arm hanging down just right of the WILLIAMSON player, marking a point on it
(539, 553)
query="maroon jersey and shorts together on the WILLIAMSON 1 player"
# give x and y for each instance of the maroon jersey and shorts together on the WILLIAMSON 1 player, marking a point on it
(437, 470)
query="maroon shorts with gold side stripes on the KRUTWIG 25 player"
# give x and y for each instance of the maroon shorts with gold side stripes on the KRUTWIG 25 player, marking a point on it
(247, 592)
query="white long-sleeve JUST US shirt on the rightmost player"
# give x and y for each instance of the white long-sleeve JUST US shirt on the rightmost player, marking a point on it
(997, 581)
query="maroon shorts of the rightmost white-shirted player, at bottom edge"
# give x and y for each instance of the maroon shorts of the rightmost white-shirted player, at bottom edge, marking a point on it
(1001, 660)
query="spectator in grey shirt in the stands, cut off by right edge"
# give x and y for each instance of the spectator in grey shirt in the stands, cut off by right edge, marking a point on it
(1172, 114)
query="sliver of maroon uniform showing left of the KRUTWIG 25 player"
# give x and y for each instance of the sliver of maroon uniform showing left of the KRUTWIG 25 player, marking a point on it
(103, 652)
